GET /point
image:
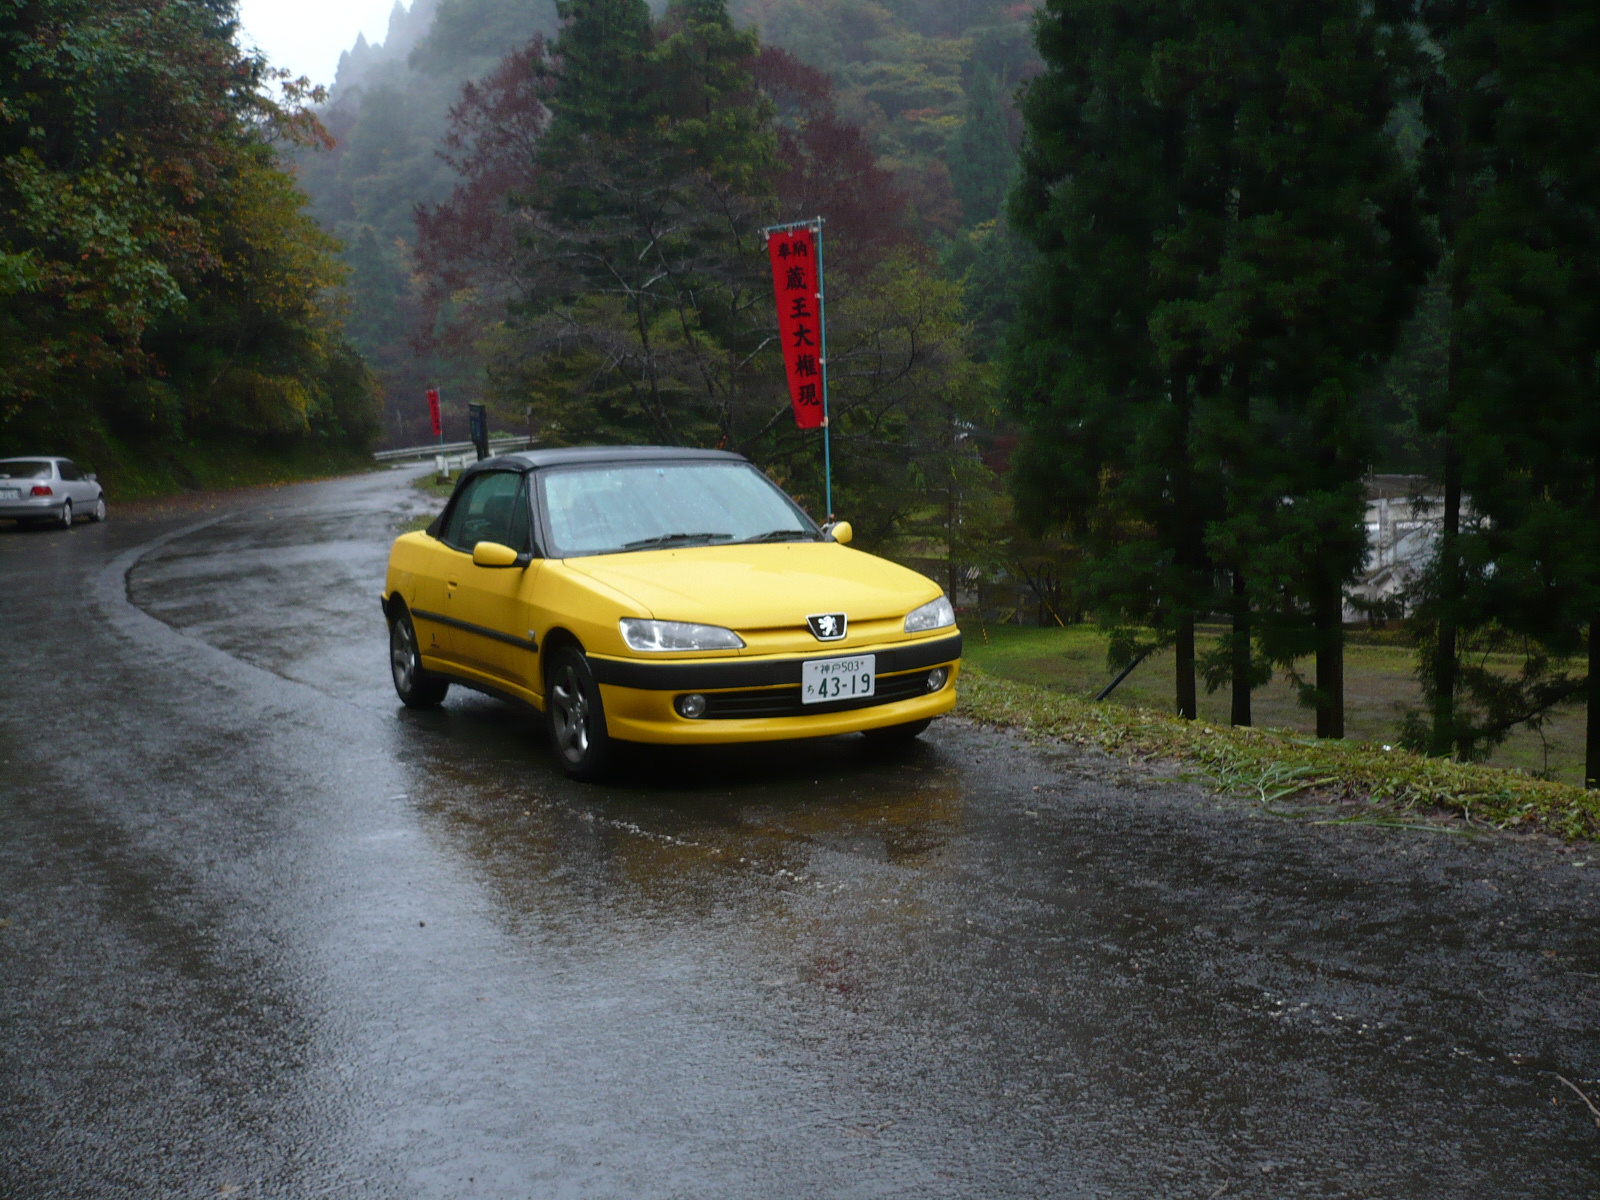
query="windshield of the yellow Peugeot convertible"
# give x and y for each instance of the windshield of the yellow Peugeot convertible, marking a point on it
(610, 508)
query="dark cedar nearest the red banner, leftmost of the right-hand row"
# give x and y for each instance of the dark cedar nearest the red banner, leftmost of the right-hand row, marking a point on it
(1110, 410)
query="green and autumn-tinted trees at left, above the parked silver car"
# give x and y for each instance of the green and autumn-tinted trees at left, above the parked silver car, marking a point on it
(159, 278)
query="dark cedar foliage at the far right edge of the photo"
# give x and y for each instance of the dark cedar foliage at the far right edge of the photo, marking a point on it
(1510, 172)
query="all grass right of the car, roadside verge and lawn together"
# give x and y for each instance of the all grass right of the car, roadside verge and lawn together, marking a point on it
(1038, 681)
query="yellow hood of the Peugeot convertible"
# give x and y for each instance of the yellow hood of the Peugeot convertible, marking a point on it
(761, 586)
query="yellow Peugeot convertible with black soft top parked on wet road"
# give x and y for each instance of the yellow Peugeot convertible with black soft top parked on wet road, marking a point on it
(647, 594)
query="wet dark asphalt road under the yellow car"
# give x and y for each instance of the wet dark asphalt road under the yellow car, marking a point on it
(270, 935)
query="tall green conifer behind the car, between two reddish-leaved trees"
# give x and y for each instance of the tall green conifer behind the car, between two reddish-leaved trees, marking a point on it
(639, 236)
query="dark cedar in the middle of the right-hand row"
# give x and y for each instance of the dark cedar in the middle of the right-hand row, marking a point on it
(1321, 268)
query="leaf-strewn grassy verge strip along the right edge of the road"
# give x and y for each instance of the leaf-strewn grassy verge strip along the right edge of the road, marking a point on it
(1345, 783)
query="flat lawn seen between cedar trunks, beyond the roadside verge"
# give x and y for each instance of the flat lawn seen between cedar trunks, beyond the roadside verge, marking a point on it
(1380, 681)
